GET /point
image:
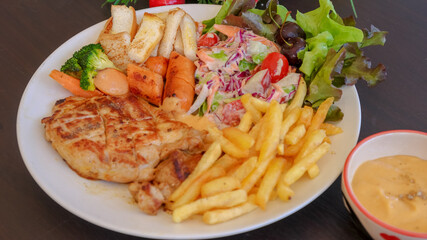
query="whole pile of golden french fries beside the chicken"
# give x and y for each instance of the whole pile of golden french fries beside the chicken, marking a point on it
(257, 161)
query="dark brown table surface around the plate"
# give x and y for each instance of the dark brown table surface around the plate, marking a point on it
(32, 29)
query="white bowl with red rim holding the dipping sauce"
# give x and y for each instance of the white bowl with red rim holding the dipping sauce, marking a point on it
(389, 143)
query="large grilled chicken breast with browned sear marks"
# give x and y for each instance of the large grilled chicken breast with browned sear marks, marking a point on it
(119, 139)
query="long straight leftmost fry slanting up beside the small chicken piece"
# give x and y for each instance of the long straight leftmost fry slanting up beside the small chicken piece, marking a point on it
(210, 156)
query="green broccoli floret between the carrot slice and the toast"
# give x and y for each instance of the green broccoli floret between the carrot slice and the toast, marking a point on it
(85, 63)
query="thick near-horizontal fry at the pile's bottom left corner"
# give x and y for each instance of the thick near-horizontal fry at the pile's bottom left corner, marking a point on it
(222, 200)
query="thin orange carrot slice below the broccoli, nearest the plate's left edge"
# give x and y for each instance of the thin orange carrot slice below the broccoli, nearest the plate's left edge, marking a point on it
(72, 84)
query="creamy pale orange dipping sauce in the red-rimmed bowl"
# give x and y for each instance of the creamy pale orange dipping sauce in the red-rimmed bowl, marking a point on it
(394, 189)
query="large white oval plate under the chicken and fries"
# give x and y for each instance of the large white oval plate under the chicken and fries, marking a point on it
(109, 205)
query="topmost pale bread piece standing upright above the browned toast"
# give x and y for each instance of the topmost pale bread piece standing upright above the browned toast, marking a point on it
(124, 20)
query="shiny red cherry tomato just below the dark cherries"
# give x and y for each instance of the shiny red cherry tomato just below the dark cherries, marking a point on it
(277, 65)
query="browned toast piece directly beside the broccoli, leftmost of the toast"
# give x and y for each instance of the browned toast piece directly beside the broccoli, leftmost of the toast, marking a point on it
(115, 46)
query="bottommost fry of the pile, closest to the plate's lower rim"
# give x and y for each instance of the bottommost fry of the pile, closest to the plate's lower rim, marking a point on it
(223, 215)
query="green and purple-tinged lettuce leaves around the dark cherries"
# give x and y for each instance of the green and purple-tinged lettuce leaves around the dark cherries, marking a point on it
(333, 55)
